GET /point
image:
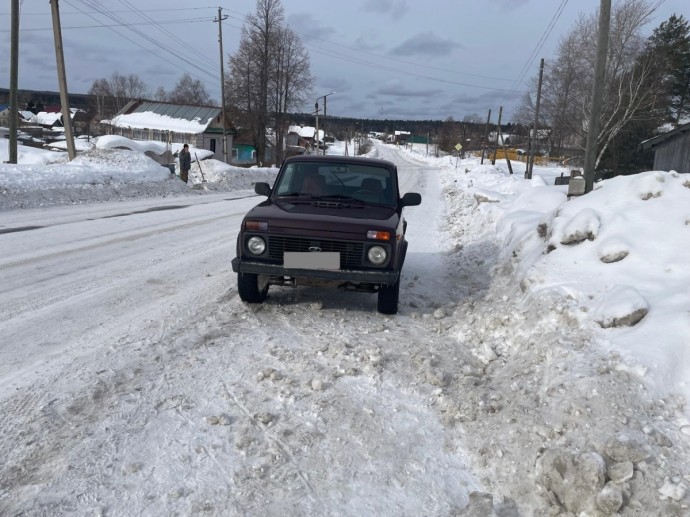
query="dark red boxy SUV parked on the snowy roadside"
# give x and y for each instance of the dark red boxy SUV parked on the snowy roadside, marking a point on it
(328, 220)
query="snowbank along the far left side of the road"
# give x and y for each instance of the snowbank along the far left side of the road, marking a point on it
(111, 172)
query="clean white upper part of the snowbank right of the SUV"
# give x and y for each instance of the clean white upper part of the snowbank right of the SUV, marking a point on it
(612, 256)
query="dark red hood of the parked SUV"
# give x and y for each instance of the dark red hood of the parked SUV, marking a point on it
(329, 216)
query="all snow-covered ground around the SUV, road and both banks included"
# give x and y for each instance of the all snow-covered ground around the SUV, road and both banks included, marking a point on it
(539, 364)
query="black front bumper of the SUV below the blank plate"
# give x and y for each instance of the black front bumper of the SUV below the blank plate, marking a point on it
(387, 277)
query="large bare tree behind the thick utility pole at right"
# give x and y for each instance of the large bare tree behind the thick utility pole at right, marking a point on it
(629, 92)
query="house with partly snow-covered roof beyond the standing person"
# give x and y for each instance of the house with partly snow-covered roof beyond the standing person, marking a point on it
(199, 126)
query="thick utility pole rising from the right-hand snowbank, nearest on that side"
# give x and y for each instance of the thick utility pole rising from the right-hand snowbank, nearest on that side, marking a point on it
(597, 93)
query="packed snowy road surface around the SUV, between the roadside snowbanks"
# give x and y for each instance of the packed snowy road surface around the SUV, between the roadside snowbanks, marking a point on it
(134, 380)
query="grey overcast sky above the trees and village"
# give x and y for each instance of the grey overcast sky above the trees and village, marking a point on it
(394, 59)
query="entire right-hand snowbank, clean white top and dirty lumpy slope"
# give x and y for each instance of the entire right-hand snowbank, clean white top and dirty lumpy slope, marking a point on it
(573, 377)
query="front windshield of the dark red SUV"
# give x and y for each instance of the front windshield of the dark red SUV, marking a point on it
(360, 182)
